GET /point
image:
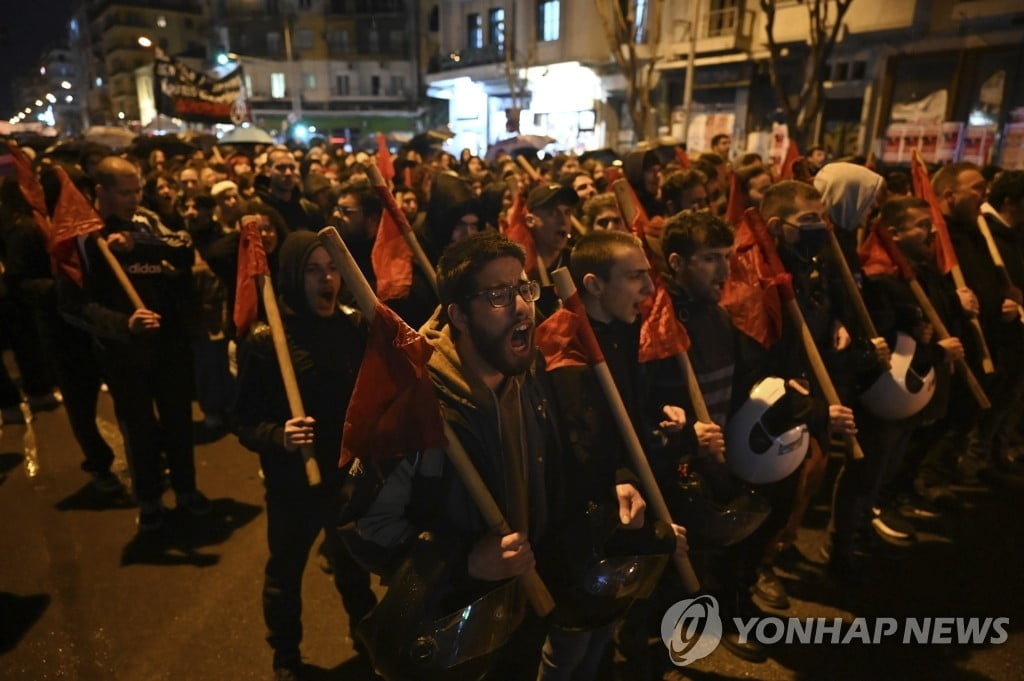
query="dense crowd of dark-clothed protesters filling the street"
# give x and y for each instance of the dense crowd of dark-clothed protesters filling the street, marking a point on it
(496, 232)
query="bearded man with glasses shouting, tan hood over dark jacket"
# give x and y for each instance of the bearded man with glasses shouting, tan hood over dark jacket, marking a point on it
(486, 372)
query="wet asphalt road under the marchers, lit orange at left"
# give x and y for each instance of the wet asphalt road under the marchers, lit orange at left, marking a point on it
(83, 599)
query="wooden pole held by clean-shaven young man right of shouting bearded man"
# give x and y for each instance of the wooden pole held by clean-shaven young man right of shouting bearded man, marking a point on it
(567, 289)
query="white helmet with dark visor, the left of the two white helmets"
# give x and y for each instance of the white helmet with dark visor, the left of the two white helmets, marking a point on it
(764, 442)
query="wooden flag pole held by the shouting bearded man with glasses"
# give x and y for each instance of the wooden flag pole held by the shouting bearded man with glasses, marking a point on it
(534, 587)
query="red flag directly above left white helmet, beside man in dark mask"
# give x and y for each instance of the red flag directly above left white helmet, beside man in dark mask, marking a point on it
(753, 295)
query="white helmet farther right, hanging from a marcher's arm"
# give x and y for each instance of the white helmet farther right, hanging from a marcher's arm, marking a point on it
(901, 393)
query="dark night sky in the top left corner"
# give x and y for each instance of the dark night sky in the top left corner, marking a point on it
(30, 28)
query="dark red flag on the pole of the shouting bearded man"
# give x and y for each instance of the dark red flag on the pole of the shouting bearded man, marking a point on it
(394, 411)
